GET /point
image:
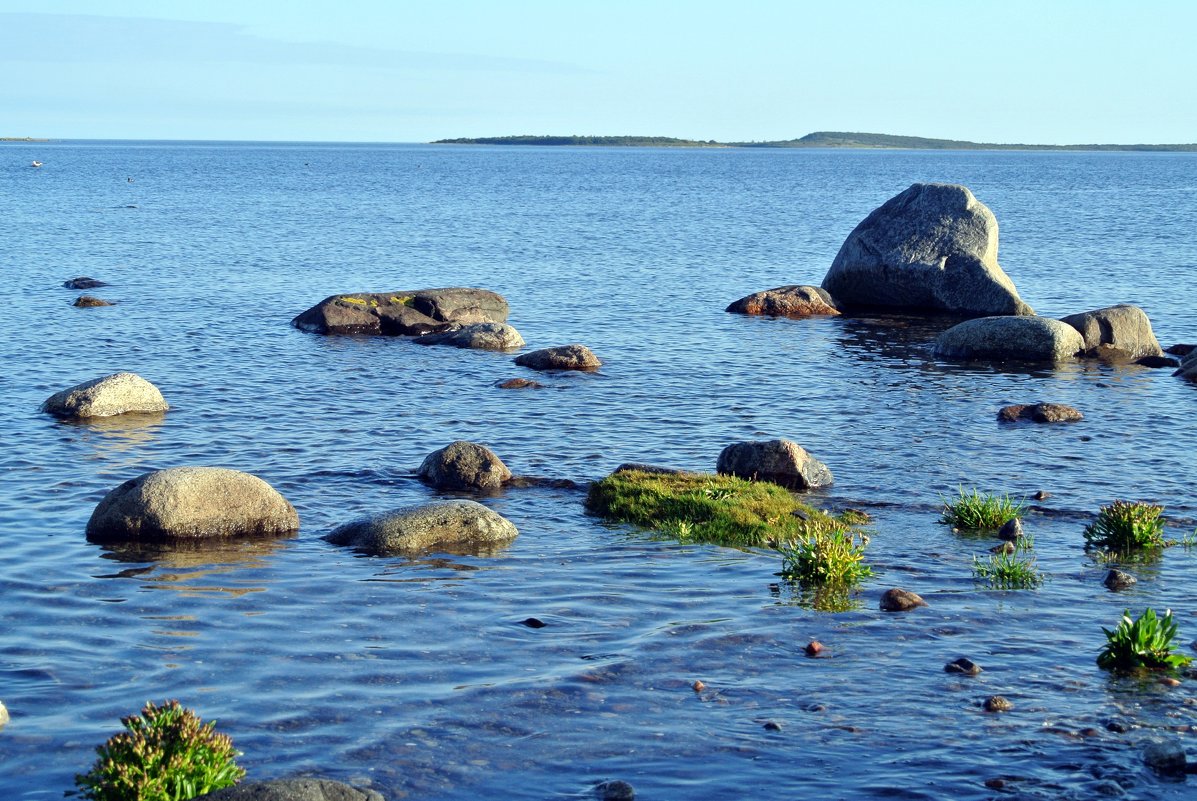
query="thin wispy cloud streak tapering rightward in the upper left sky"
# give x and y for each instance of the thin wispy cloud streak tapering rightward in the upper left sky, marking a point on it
(80, 39)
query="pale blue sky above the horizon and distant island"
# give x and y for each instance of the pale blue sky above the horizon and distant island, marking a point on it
(1007, 71)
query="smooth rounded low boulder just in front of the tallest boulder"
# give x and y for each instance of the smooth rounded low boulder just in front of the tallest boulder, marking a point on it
(1022, 339)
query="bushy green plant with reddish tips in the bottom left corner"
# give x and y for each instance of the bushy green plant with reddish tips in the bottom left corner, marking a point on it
(166, 754)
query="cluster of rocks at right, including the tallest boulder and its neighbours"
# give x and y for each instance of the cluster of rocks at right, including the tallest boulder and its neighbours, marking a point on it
(933, 250)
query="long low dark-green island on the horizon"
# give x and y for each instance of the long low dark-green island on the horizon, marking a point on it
(818, 139)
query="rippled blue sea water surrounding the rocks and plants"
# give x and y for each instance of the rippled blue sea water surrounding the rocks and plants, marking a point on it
(416, 676)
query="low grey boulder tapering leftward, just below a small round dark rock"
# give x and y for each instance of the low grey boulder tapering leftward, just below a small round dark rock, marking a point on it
(446, 525)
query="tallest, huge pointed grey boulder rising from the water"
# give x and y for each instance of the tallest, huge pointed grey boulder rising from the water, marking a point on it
(932, 248)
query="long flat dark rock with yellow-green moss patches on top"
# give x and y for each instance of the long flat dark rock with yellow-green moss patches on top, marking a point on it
(410, 313)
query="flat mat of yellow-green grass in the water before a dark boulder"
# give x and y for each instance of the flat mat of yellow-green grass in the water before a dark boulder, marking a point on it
(706, 508)
